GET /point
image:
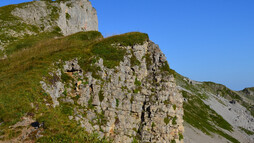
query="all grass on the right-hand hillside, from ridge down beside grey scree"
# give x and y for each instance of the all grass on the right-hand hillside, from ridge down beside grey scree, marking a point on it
(200, 115)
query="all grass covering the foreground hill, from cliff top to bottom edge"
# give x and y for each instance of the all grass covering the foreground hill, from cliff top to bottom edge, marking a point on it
(21, 73)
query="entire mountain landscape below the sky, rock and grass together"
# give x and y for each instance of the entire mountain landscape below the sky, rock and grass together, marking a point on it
(62, 81)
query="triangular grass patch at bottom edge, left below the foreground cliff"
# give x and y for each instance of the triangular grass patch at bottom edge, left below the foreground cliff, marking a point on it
(58, 128)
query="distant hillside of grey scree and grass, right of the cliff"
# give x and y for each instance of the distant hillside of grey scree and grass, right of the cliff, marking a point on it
(213, 112)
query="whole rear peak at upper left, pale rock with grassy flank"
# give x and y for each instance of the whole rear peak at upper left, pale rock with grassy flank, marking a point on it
(32, 18)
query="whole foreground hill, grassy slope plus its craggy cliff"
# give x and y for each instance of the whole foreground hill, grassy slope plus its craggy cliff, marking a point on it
(88, 88)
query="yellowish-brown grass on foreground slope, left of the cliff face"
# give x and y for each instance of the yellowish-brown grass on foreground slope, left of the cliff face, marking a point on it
(21, 73)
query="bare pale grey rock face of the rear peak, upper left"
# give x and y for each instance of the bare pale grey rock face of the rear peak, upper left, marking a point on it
(71, 16)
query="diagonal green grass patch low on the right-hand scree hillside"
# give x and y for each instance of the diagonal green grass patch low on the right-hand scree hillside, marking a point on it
(202, 117)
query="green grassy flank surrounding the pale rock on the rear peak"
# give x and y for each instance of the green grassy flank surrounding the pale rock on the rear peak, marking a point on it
(17, 25)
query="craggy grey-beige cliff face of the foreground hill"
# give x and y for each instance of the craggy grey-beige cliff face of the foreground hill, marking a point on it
(130, 102)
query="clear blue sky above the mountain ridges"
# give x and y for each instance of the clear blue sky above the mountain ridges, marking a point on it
(205, 40)
